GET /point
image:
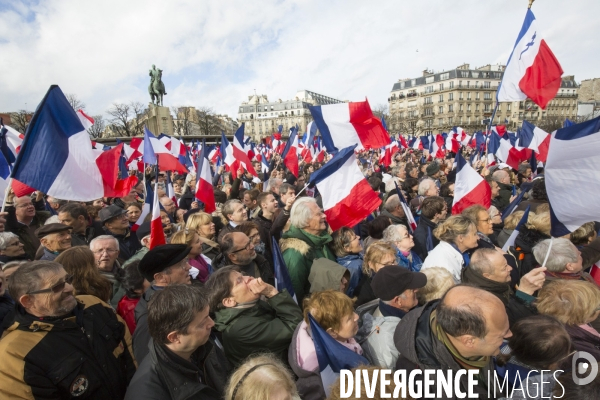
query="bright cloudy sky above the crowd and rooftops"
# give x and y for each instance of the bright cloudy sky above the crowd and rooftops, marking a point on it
(216, 53)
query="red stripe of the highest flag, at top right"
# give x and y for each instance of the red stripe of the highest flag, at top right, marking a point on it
(542, 80)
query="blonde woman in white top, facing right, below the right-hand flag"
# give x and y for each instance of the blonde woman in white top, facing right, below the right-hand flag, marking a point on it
(457, 235)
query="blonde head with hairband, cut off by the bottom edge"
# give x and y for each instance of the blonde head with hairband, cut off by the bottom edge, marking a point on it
(262, 377)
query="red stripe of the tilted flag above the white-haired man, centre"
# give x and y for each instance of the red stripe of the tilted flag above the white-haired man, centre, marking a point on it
(355, 207)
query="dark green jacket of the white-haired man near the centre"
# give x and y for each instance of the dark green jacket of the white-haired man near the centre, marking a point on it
(299, 249)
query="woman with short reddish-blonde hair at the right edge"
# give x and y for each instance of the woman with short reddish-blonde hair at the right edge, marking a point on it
(575, 304)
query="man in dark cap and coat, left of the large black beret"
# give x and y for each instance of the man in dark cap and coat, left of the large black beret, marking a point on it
(115, 222)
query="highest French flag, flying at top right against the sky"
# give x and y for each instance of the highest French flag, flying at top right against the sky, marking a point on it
(532, 69)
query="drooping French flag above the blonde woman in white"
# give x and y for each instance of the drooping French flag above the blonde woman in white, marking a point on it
(470, 188)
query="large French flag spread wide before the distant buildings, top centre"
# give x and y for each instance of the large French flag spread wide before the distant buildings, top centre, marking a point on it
(345, 124)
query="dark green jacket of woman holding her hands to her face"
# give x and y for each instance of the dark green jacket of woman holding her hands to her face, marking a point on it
(265, 327)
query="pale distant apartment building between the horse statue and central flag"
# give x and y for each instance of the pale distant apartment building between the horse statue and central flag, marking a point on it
(262, 117)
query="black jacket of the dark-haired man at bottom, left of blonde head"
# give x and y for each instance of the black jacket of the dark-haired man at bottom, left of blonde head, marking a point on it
(164, 375)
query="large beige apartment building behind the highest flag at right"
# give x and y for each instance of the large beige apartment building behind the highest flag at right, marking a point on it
(465, 97)
